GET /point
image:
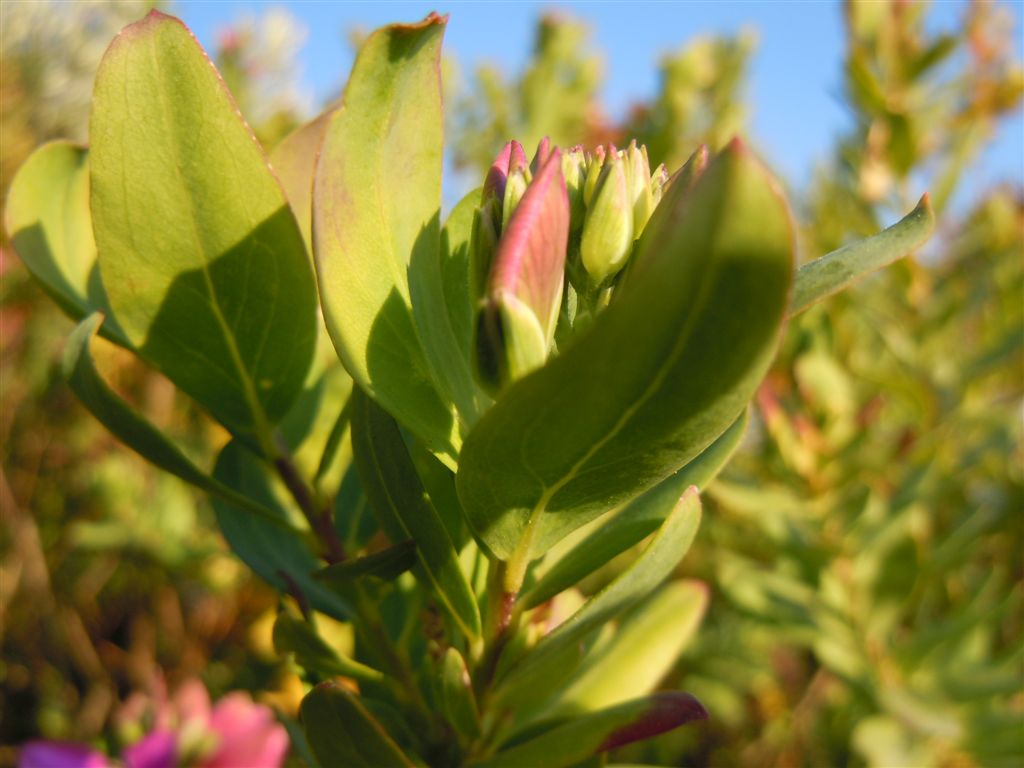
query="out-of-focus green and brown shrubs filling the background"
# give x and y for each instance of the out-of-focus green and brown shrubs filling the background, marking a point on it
(865, 552)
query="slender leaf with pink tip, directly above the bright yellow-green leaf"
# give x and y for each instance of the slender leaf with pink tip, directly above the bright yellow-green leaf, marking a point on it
(544, 667)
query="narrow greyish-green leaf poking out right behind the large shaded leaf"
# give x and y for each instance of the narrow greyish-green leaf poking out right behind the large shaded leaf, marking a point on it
(836, 271)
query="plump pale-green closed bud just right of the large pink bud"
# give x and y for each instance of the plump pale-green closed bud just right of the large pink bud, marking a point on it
(608, 233)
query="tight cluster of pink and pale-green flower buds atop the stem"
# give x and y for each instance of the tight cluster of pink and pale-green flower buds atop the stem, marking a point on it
(535, 224)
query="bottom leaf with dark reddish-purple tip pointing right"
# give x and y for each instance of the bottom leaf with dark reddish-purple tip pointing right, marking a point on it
(600, 732)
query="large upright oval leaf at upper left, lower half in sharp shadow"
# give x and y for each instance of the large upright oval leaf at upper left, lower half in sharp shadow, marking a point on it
(201, 257)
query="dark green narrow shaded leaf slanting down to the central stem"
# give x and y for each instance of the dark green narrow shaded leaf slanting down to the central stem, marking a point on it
(406, 513)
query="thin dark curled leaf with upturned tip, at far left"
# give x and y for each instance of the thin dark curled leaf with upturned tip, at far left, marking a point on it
(137, 433)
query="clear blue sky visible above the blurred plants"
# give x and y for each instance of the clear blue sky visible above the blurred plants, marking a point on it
(794, 88)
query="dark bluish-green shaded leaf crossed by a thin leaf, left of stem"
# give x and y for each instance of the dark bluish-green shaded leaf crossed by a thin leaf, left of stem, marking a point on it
(283, 561)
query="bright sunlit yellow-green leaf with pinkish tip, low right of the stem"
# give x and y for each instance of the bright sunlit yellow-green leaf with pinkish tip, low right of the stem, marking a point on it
(643, 652)
